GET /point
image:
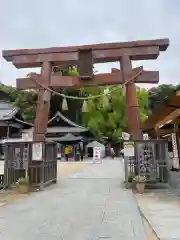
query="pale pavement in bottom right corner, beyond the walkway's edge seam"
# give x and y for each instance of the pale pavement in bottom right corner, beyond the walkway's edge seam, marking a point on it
(162, 210)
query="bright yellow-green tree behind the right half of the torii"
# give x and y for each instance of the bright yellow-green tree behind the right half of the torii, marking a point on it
(111, 120)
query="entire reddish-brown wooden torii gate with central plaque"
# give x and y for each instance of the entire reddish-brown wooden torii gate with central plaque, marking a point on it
(84, 57)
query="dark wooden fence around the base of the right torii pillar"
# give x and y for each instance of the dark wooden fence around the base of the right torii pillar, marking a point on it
(150, 159)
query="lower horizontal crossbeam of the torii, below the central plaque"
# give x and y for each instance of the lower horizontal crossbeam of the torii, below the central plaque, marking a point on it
(76, 82)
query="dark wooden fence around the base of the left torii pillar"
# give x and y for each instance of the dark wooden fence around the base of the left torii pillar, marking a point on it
(37, 160)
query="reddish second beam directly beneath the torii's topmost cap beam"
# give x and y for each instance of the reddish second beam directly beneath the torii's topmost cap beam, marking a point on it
(99, 56)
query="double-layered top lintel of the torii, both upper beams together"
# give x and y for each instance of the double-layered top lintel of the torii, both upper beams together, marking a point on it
(105, 52)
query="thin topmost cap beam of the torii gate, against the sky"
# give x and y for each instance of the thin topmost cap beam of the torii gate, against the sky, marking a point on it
(161, 43)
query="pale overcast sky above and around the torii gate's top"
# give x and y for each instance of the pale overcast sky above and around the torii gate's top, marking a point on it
(45, 23)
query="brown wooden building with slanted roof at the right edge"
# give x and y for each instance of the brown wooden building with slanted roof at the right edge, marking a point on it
(163, 123)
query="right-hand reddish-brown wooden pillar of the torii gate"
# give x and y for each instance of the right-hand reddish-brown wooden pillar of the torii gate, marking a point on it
(131, 98)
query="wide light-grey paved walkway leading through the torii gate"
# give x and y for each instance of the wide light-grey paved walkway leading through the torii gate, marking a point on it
(90, 205)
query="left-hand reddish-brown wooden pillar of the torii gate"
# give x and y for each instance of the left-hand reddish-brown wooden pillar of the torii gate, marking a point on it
(43, 105)
